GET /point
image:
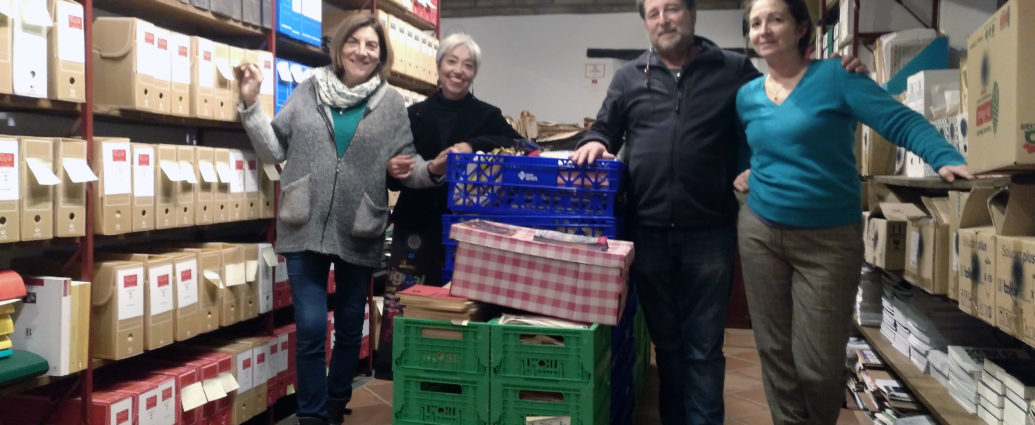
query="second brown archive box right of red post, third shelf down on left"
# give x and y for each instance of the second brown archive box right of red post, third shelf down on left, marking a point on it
(160, 299)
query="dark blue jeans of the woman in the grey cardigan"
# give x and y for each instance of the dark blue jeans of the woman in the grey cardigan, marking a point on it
(308, 272)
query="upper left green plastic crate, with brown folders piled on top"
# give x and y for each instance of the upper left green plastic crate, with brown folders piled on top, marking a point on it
(440, 346)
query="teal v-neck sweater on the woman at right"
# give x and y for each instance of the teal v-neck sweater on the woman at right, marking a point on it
(803, 163)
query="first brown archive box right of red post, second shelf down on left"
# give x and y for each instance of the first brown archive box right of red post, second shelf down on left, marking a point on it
(113, 197)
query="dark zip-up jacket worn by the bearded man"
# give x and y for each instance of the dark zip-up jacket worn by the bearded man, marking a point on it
(682, 135)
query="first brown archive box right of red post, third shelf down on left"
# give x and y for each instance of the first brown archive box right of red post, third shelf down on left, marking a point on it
(117, 323)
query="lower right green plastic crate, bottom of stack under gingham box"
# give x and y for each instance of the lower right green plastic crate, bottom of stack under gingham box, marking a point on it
(586, 404)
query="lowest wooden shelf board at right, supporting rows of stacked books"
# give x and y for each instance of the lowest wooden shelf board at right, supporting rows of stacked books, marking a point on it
(925, 388)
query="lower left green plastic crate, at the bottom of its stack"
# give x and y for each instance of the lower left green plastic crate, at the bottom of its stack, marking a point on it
(430, 399)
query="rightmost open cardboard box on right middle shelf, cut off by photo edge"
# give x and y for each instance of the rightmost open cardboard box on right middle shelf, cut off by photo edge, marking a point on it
(1013, 214)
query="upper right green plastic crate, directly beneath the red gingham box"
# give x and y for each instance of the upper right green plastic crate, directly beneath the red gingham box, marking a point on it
(578, 360)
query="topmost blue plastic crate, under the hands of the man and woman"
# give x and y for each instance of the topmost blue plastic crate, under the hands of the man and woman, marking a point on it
(507, 185)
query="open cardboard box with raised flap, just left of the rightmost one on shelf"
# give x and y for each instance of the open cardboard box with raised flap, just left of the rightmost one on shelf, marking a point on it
(978, 257)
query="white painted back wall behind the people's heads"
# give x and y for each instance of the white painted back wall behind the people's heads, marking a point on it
(539, 63)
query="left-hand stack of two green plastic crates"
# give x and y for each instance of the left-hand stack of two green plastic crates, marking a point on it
(441, 373)
